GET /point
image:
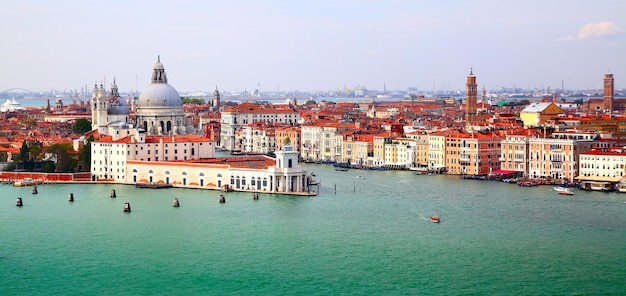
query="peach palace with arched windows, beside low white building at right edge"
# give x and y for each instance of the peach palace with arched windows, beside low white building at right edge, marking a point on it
(556, 158)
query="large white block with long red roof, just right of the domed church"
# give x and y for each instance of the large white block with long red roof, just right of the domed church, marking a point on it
(234, 118)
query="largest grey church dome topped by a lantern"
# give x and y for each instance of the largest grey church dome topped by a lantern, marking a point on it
(159, 94)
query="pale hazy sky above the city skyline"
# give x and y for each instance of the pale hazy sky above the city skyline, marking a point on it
(305, 45)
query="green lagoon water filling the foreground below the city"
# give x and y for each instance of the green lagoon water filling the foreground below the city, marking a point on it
(371, 237)
